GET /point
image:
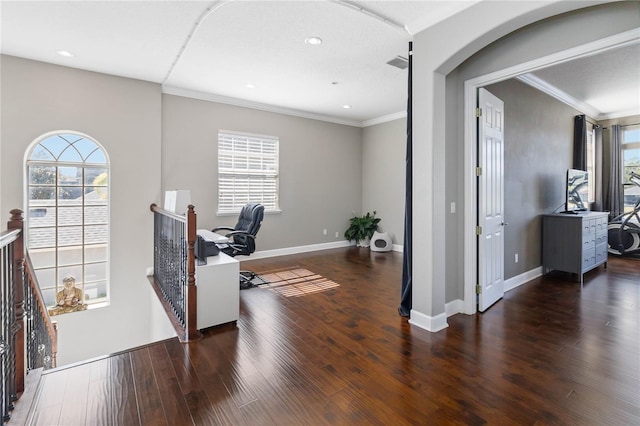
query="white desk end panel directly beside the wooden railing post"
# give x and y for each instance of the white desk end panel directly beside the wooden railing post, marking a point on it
(218, 285)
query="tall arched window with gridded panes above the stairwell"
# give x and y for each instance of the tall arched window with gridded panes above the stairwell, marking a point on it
(67, 229)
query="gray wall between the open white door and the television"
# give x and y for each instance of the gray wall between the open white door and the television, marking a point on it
(538, 150)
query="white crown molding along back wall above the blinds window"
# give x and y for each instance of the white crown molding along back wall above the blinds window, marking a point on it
(194, 94)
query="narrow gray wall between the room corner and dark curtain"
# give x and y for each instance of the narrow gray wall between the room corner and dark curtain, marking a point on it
(383, 178)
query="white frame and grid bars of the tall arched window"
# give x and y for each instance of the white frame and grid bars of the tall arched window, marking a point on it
(83, 221)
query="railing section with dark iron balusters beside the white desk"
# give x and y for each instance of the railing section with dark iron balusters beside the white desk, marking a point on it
(174, 271)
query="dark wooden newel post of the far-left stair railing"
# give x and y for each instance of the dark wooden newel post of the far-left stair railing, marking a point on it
(17, 222)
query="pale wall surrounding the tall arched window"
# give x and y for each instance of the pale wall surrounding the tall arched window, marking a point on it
(124, 116)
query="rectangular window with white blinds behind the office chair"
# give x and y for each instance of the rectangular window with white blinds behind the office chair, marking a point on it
(247, 171)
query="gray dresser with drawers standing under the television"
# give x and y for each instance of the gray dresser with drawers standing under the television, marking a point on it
(574, 243)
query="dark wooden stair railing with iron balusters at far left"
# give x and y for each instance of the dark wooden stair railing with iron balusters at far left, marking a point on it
(15, 283)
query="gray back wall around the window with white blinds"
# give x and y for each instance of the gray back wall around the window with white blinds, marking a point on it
(320, 168)
